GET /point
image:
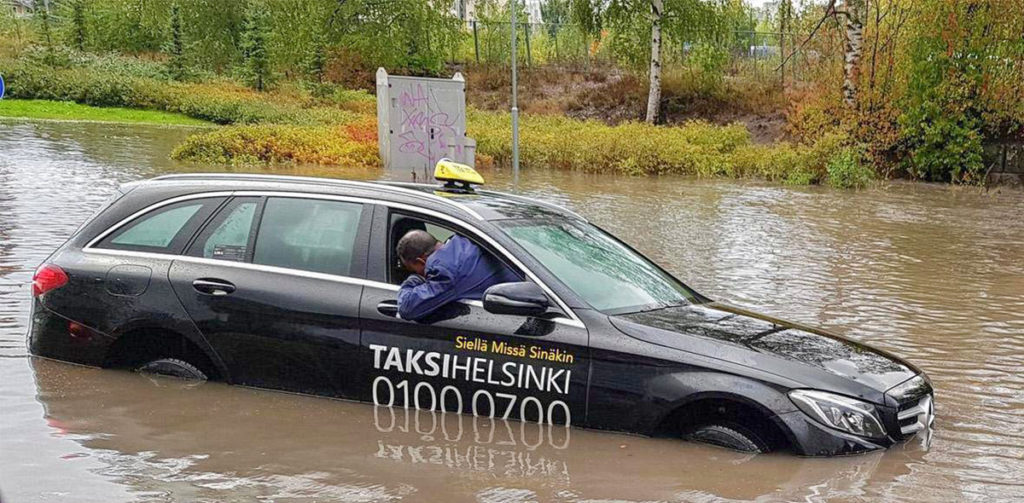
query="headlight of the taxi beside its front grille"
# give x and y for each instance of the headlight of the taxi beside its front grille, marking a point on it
(843, 413)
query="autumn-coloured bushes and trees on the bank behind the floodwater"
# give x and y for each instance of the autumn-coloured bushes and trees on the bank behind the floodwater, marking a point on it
(741, 94)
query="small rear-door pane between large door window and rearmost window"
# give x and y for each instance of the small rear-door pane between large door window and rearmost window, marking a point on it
(230, 234)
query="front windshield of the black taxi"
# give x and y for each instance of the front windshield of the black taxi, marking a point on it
(607, 274)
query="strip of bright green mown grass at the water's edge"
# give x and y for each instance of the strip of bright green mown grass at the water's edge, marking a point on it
(69, 111)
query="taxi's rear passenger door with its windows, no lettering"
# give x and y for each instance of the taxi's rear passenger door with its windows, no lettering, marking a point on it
(274, 283)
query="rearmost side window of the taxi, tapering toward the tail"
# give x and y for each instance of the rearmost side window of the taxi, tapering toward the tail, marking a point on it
(163, 230)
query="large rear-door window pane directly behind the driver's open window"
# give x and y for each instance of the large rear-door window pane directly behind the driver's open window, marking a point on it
(309, 235)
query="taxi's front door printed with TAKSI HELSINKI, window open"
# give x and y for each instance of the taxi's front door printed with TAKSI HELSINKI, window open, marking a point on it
(463, 358)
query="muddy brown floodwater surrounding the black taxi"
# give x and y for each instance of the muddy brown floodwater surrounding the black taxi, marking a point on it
(934, 274)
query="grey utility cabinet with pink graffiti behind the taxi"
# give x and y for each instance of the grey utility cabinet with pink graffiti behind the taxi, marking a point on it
(420, 121)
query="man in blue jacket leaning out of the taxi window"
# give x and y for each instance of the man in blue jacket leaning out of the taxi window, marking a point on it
(444, 273)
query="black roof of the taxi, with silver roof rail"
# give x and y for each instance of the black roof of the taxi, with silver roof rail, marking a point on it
(481, 205)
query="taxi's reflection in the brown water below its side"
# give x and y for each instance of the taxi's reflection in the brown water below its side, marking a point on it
(206, 443)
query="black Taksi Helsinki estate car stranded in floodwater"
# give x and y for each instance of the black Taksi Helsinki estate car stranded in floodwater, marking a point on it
(290, 283)
